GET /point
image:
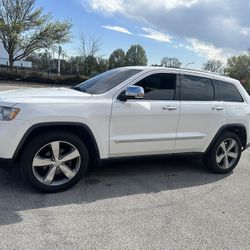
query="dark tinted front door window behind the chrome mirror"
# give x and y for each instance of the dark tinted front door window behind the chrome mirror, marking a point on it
(159, 86)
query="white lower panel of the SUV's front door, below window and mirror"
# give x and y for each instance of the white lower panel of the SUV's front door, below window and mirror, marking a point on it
(140, 127)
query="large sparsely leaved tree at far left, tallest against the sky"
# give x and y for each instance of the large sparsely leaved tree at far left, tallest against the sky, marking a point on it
(25, 29)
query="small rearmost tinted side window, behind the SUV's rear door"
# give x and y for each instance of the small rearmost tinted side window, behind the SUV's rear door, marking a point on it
(227, 92)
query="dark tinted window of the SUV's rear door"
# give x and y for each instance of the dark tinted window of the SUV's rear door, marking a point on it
(195, 88)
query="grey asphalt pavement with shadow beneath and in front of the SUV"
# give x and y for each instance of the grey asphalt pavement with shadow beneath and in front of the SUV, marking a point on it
(157, 203)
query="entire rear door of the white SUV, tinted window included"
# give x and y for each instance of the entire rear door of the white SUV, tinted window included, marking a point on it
(201, 114)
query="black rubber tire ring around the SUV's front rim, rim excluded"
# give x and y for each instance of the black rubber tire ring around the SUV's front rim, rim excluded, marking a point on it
(37, 143)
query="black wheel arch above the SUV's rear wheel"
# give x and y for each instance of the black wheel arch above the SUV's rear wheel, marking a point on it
(238, 129)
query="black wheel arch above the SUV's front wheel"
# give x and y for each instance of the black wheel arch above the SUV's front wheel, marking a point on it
(79, 129)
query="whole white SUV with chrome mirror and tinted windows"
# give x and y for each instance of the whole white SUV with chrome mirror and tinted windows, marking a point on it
(58, 133)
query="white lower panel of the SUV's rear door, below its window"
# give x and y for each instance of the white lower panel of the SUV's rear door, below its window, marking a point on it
(198, 124)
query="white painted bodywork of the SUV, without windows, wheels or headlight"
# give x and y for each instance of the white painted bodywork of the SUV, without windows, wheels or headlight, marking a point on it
(125, 129)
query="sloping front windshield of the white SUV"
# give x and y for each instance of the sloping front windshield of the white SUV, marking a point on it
(106, 81)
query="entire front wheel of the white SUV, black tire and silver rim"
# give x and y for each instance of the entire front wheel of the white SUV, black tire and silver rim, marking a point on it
(54, 161)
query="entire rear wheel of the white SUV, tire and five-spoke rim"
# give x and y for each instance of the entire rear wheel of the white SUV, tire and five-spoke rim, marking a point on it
(220, 158)
